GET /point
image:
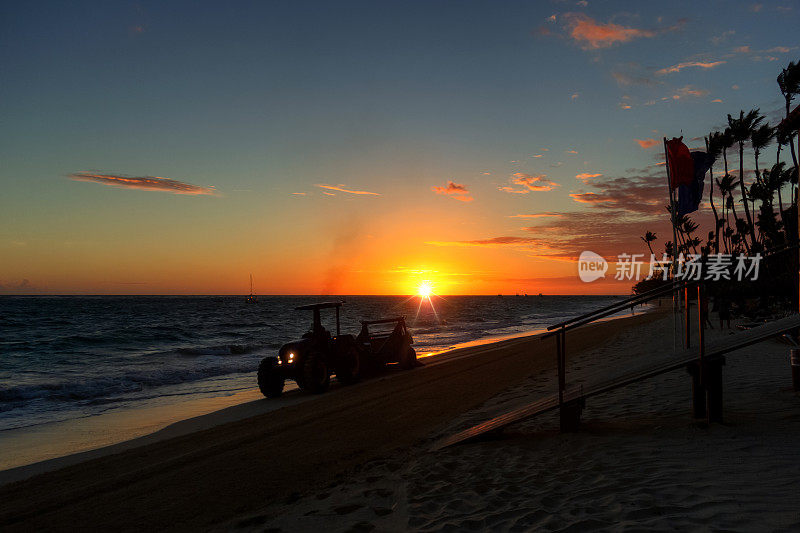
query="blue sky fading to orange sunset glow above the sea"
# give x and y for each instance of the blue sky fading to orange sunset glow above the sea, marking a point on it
(261, 100)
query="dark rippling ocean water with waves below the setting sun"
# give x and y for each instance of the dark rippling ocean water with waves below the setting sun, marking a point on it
(71, 357)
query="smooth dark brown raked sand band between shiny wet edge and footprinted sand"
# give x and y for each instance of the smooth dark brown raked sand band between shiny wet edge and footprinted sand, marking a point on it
(209, 477)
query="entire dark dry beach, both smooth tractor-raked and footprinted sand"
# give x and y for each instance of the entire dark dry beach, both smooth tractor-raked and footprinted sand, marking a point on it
(359, 458)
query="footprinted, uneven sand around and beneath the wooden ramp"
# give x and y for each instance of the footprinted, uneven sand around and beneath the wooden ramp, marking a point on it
(639, 460)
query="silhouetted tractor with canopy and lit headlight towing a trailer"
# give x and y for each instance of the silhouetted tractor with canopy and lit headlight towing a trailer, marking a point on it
(312, 360)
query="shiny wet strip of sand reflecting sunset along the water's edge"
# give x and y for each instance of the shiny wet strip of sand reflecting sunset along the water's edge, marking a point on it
(45, 447)
